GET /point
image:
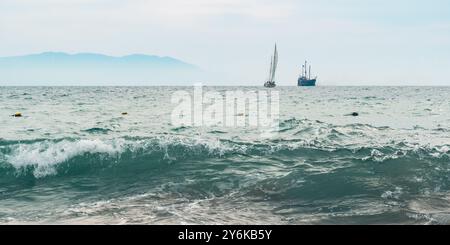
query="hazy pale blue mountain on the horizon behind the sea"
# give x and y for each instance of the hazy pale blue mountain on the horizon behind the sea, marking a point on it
(57, 68)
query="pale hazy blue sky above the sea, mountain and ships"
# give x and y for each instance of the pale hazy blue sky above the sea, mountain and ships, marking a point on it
(348, 42)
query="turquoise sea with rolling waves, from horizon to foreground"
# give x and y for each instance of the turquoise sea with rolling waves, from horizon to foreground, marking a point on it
(73, 158)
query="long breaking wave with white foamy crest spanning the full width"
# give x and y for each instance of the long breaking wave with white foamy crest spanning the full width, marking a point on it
(42, 158)
